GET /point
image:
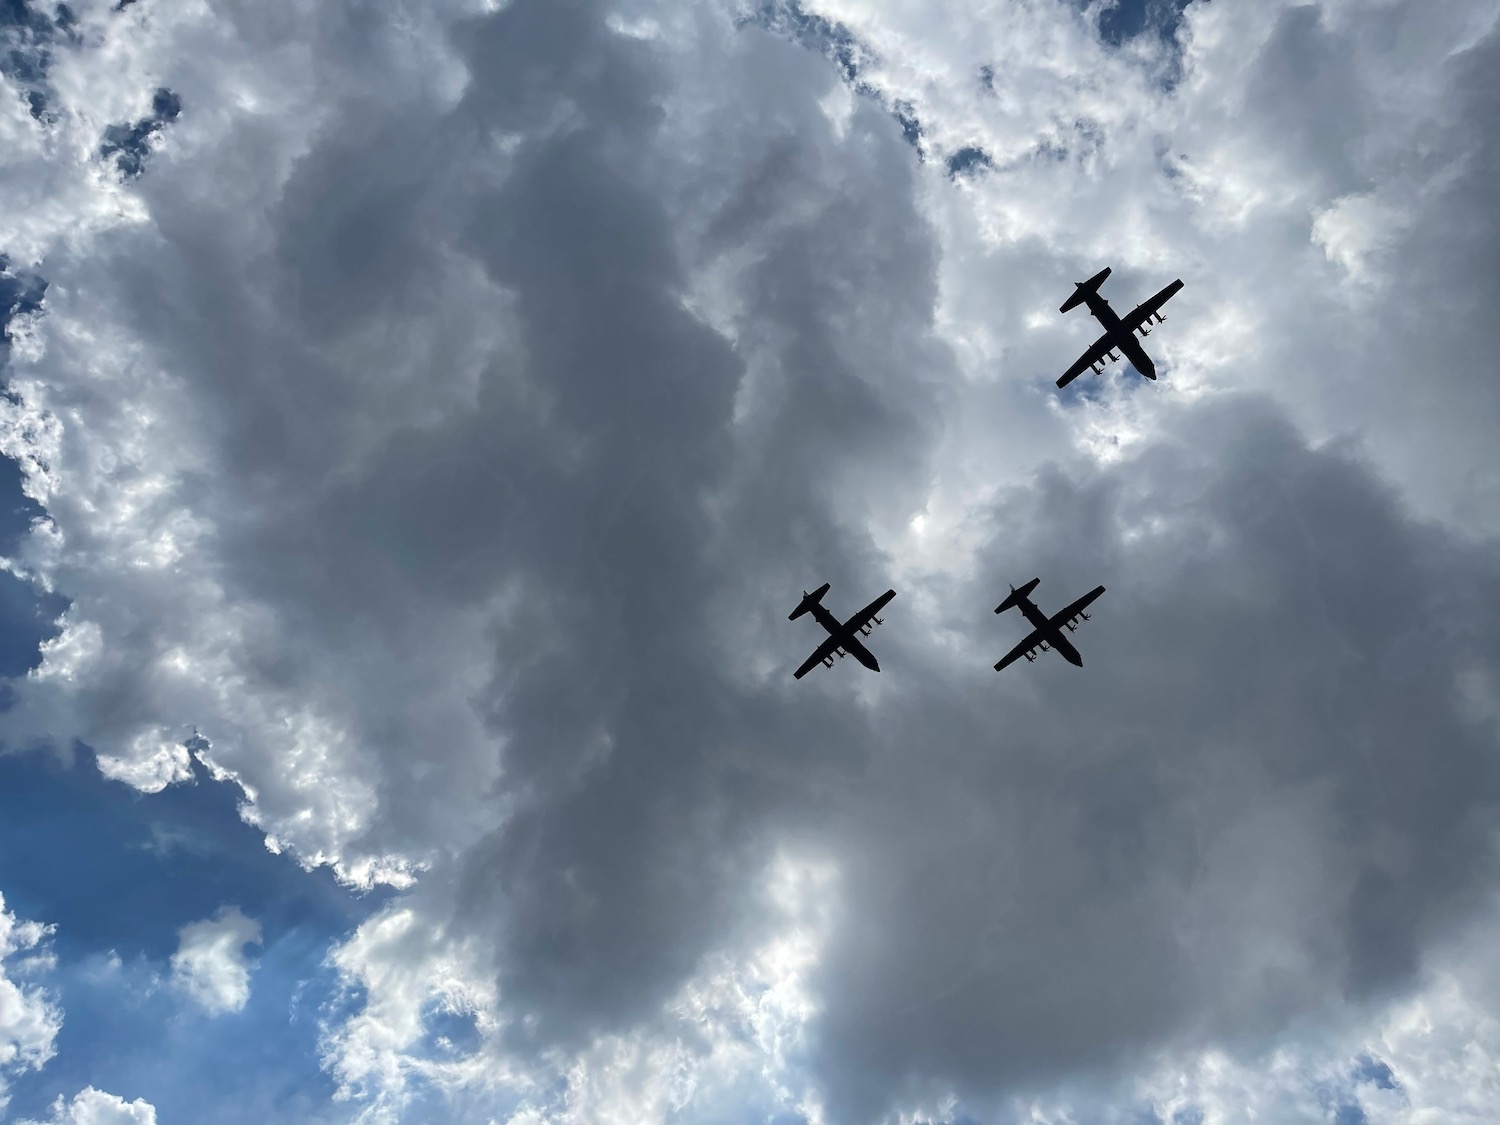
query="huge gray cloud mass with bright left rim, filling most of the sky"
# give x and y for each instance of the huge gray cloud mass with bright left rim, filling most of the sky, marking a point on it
(511, 418)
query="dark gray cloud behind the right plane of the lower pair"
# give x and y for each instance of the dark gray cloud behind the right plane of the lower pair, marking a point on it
(1264, 791)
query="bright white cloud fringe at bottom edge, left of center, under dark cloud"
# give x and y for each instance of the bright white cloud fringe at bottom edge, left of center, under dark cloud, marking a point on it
(733, 1042)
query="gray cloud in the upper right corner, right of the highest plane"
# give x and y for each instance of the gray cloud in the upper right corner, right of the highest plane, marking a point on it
(1418, 221)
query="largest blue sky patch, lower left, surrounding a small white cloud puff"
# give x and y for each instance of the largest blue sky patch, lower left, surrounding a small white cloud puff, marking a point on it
(121, 874)
